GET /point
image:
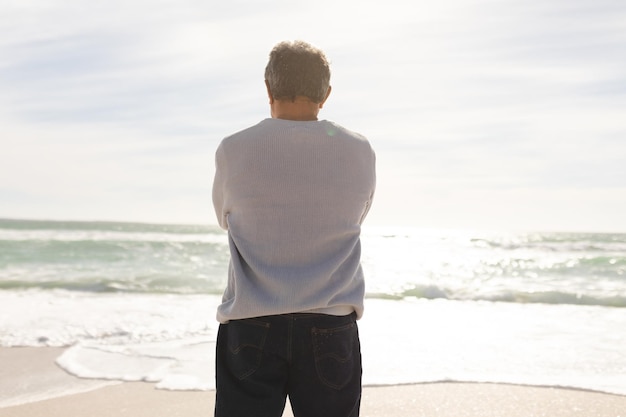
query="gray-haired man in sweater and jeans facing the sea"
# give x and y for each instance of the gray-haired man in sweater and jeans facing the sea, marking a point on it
(292, 191)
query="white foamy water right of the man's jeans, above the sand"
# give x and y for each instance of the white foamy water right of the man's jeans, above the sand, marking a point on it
(533, 344)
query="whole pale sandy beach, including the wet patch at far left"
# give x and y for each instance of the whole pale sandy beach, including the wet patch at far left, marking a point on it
(31, 373)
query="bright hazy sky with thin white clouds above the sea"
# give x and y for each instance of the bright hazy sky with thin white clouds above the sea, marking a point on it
(499, 114)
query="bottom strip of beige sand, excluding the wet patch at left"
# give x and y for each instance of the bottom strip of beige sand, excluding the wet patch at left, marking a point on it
(139, 399)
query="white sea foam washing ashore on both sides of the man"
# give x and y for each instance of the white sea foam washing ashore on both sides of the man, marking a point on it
(170, 340)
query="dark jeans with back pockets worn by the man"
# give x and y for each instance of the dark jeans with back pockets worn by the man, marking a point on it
(315, 359)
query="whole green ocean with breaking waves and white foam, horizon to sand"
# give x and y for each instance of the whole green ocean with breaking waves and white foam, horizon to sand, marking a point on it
(136, 302)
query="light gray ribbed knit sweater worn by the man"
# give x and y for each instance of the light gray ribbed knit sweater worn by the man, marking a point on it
(292, 196)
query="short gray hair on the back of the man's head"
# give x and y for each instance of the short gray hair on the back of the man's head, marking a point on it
(297, 69)
